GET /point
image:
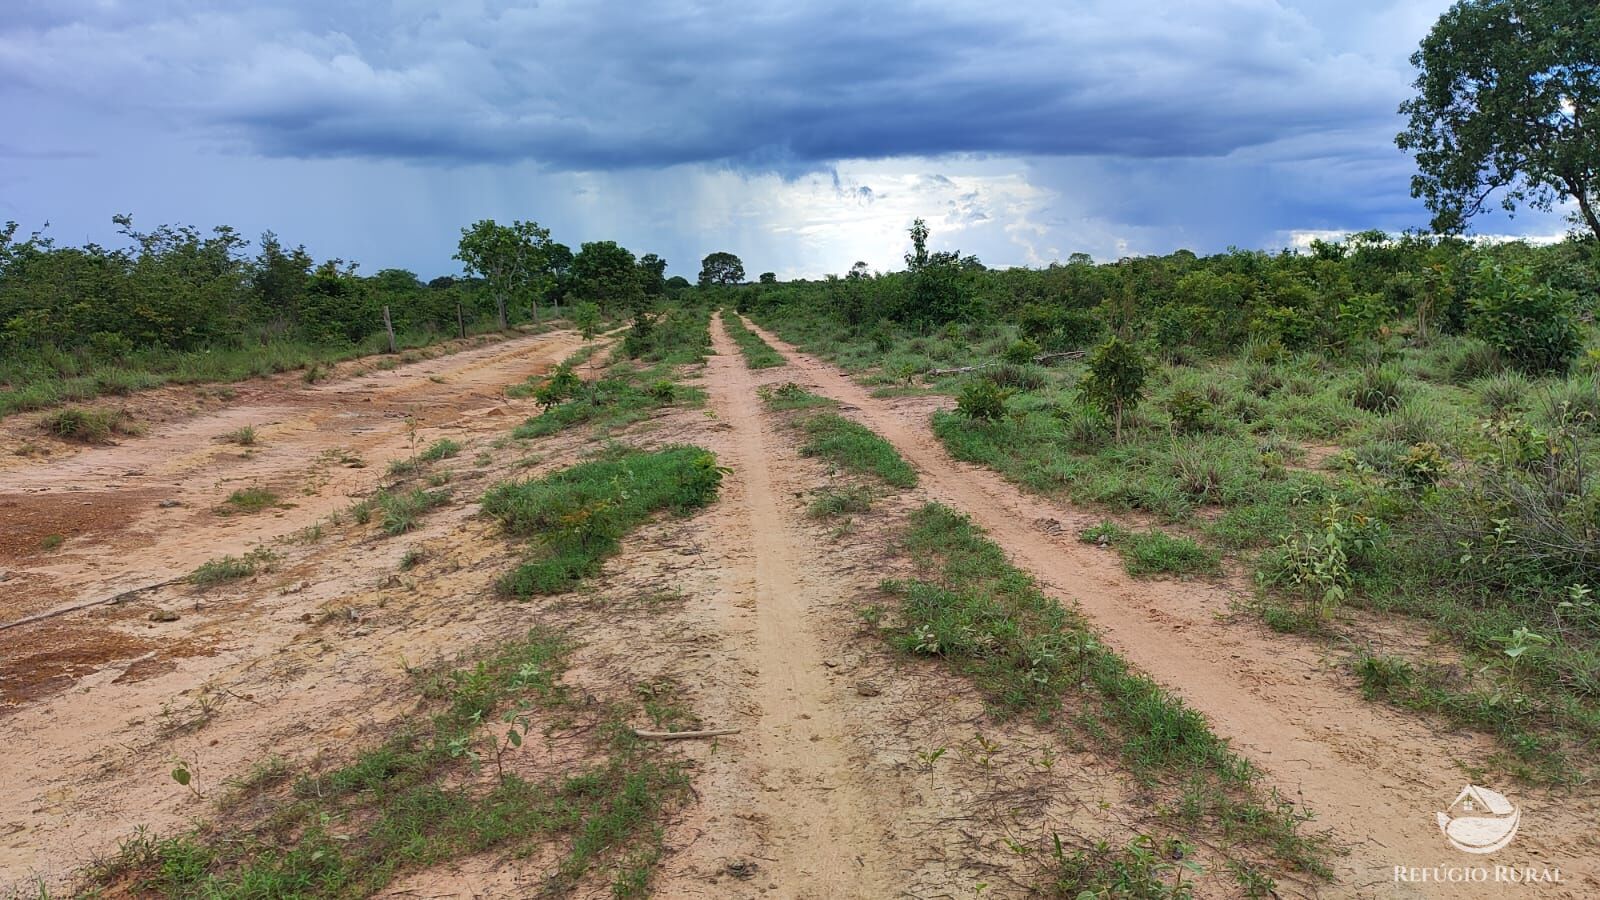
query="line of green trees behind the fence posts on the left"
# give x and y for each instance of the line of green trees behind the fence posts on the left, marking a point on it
(180, 289)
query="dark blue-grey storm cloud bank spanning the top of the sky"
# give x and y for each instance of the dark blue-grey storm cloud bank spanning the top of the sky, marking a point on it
(758, 86)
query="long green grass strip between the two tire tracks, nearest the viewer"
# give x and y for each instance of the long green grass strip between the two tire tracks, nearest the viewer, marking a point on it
(1030, 654)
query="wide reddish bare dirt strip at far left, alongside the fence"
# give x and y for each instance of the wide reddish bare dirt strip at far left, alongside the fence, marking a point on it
(191, 470)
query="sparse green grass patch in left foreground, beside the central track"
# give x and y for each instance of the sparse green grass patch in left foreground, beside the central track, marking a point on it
(414, 802)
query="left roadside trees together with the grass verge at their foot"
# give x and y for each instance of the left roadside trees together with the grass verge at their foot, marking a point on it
(183, 307)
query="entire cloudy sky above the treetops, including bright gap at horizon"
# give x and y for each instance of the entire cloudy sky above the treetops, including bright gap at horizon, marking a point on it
(802, 137)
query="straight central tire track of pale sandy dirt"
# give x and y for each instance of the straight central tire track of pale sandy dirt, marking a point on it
(825, 837)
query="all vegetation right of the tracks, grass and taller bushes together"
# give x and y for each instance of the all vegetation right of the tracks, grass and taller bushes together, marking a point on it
(1404, 427)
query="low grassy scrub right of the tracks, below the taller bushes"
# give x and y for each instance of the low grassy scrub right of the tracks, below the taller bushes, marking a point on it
(1407, 478)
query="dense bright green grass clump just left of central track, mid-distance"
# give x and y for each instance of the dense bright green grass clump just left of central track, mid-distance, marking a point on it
(580, 515)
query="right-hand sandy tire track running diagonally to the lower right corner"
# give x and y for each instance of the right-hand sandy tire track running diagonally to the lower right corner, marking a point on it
(1372, 774)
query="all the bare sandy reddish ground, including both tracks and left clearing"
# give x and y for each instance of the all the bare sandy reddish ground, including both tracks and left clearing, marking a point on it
(746, 613)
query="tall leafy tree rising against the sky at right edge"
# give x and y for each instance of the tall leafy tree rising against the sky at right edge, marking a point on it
(1508, 102)
